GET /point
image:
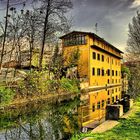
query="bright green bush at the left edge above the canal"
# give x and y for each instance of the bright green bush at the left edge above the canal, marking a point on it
(6, 95)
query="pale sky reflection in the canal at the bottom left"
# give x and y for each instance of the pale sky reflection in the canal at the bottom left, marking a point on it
(42, 129)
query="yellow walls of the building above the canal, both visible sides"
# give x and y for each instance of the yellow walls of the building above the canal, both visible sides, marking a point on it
(86, 62)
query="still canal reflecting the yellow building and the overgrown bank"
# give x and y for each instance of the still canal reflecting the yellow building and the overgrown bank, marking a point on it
(57, 119)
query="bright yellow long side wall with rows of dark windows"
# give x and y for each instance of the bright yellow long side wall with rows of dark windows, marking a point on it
(110, 62)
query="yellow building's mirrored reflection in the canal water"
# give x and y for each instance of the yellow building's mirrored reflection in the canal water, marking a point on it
(96, 97)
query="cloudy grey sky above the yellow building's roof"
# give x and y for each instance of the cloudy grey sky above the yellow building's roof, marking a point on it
(111, 16)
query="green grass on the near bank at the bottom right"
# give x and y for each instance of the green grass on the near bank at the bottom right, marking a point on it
(128, 129)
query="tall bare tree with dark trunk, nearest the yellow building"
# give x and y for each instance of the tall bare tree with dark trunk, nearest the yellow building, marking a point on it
(54, 20)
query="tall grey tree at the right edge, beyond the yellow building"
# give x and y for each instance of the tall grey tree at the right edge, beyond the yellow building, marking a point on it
(133, 55)
